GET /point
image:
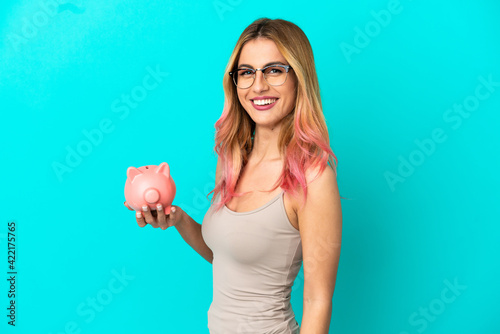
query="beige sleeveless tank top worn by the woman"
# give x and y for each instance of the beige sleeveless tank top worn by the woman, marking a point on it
(257, 255)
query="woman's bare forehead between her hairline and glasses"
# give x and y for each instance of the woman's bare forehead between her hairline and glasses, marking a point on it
(259, 52)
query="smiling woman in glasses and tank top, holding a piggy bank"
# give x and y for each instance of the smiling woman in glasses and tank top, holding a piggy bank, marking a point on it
(276, 202)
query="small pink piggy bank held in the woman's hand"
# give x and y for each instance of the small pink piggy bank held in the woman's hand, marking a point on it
(149, 185)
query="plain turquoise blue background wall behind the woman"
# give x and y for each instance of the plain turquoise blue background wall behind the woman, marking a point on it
(66, 68)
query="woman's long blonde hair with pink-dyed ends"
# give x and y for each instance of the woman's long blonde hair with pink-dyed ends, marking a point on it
(303, 138)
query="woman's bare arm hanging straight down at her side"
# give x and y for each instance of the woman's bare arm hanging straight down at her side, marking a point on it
(320, 222)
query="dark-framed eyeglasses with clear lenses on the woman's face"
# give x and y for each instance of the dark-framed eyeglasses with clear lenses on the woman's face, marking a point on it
(275, 75)
